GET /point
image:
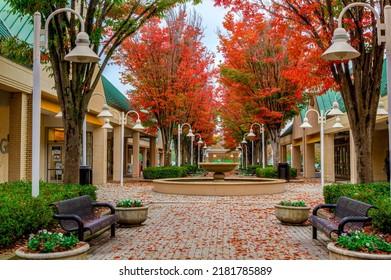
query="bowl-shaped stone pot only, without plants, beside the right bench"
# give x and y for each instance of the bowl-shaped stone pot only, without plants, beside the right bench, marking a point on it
(291, 215)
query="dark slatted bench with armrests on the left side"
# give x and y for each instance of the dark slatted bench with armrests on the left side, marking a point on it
(78, 214)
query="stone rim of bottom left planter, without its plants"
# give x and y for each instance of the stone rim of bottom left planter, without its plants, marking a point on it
(80, 253)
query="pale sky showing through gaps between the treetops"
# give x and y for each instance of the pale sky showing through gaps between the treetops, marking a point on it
(212, 18)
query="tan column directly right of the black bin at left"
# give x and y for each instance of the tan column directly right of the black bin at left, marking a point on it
(99, 155)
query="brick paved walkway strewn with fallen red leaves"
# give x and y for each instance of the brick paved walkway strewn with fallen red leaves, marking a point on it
(210, 228)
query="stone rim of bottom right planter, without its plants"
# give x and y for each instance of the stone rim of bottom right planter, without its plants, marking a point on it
(337, 253)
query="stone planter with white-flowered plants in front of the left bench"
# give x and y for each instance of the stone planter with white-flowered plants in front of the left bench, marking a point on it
(47, 245)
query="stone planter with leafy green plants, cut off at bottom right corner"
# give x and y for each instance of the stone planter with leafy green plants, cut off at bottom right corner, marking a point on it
(359, 246)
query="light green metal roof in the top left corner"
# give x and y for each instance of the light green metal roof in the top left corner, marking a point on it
(15, 24)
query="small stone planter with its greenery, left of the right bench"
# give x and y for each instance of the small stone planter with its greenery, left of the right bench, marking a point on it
(292, 212)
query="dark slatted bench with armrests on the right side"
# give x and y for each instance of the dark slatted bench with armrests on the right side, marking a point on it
(349, 214)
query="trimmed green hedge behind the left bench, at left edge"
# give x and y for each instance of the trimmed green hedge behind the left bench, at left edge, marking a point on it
(21, 214)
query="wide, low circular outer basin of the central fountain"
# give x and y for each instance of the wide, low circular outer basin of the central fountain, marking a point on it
(230, 186)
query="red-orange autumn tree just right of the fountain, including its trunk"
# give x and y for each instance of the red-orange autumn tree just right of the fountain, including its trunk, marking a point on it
(261, 81)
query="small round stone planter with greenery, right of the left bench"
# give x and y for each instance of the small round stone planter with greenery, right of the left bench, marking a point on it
(131, 212)
